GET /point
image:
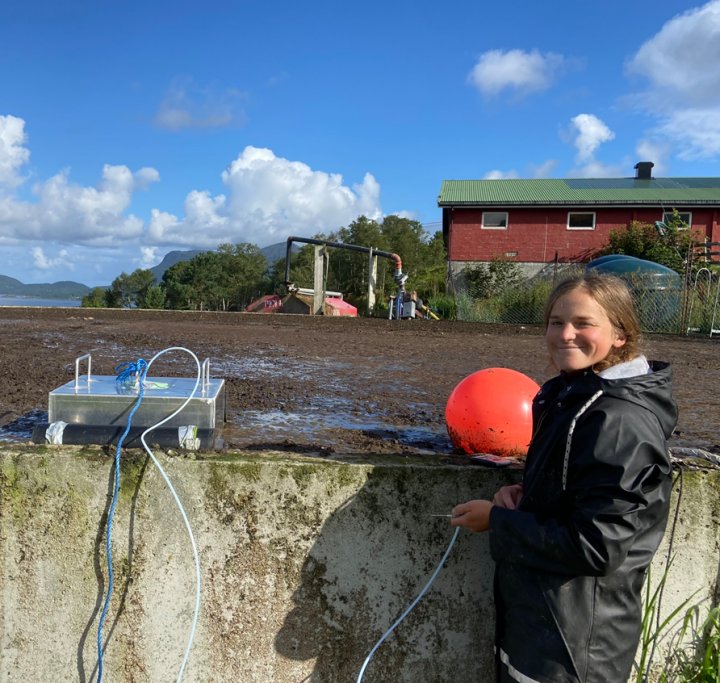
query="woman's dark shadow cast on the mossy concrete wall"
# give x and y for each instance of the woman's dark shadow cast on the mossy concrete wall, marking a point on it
(372, 557)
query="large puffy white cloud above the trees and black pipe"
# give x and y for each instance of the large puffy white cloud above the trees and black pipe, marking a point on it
(268, 199)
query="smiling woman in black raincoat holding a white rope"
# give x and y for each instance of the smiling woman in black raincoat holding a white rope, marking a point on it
(573, 541)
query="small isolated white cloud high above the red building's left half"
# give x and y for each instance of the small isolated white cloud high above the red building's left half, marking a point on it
(515, 70)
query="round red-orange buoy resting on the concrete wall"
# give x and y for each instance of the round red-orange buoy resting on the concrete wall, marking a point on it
(490, 411)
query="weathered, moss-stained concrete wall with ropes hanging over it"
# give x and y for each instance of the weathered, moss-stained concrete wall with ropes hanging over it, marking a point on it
(305, 564)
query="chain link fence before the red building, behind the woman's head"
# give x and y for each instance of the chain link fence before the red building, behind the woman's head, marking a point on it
(504, 295)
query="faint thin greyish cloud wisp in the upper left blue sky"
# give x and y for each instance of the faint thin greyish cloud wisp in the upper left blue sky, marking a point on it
(187, 104)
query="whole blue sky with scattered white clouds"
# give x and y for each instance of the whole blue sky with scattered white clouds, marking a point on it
(131, 129)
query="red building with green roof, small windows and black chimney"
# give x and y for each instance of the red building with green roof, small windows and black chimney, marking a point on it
(535, 222)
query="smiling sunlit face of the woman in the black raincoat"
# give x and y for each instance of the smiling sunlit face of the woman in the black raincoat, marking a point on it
(579, 332)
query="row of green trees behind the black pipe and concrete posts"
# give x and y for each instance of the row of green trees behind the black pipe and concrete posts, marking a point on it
(233, 275)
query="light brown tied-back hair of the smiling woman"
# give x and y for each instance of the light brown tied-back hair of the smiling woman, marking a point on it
(614, 297)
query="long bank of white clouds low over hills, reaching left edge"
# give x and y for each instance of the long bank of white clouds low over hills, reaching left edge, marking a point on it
(65, 225)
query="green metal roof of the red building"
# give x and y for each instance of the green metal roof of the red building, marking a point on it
(588, 191)
